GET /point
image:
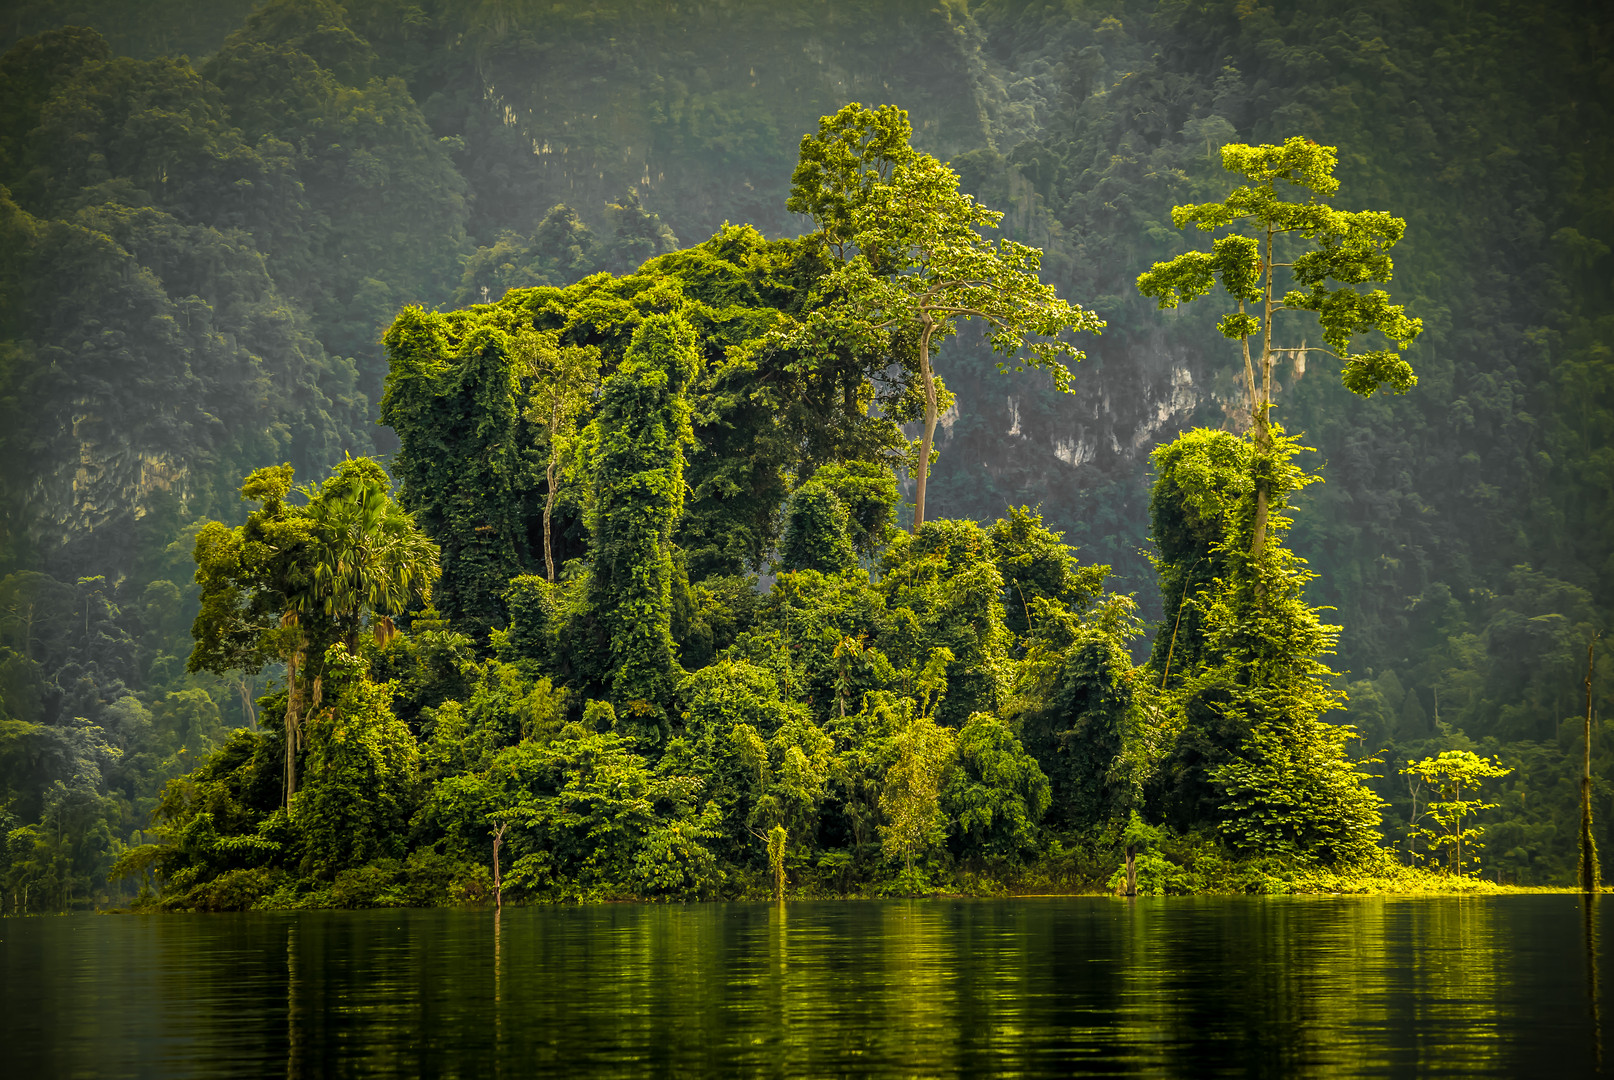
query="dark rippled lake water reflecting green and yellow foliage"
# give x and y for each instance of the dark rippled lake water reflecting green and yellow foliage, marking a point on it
(939, 989)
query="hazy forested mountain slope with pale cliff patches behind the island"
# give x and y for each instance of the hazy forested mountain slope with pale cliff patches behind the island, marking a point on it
(211, 214)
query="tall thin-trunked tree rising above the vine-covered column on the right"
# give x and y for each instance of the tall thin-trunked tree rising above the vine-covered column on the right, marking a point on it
(1345, 248)
